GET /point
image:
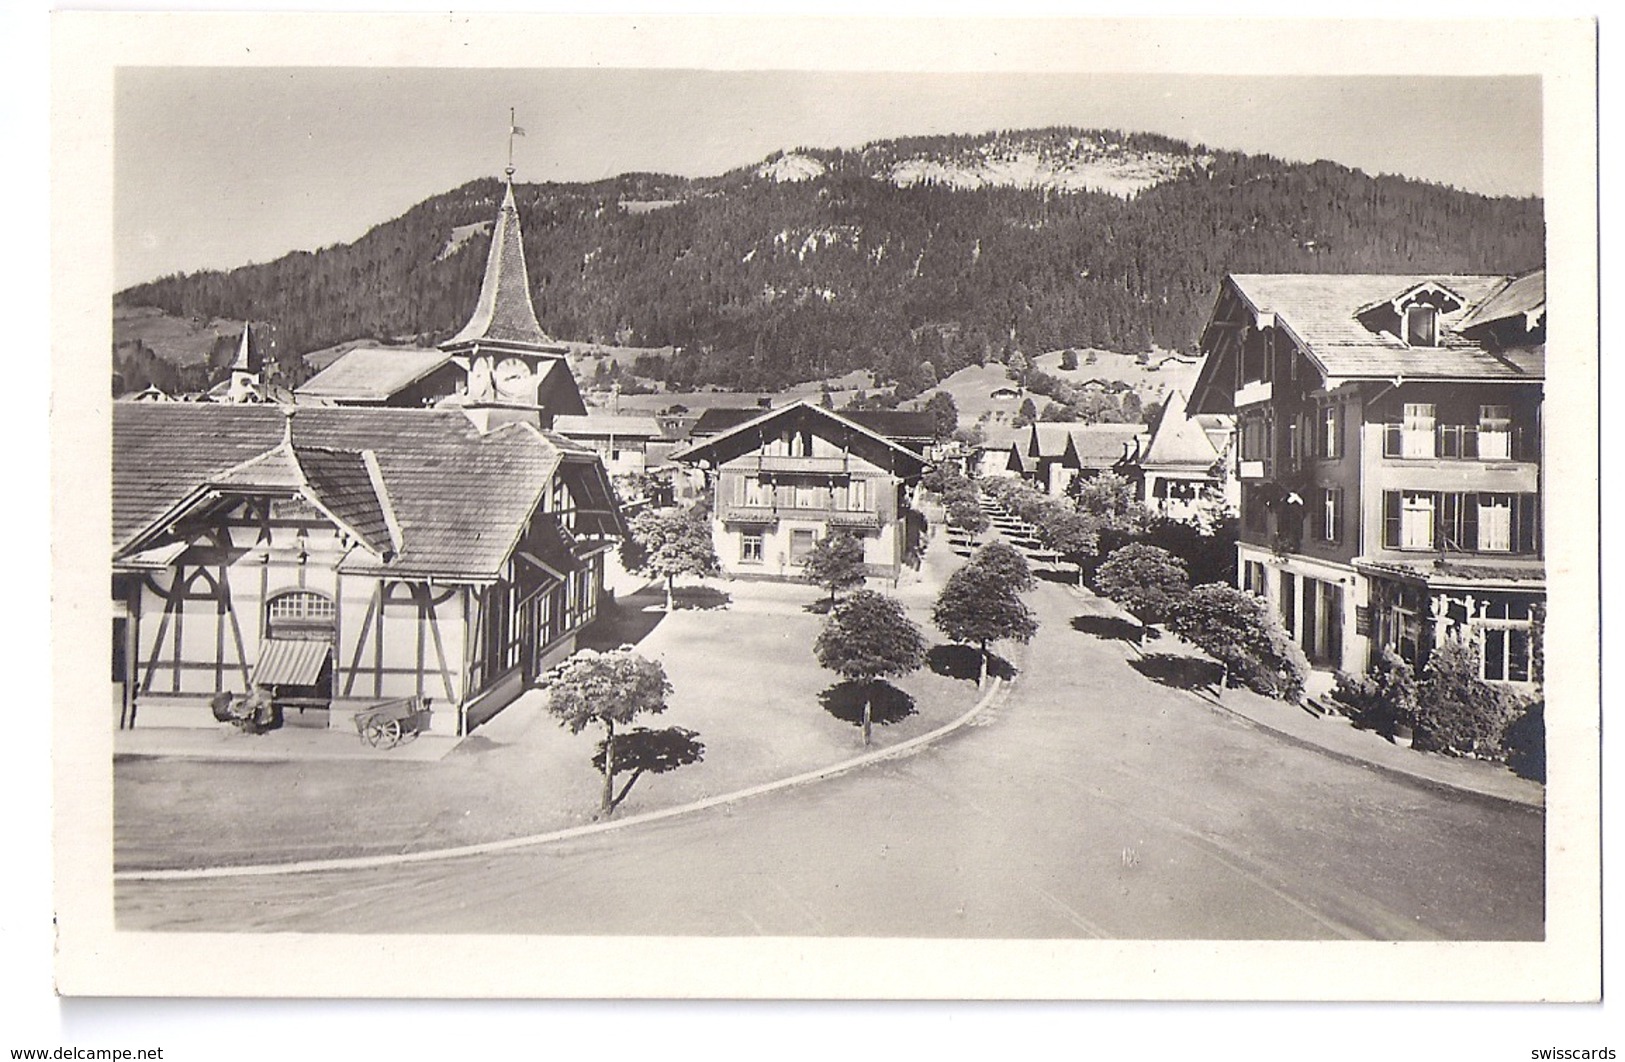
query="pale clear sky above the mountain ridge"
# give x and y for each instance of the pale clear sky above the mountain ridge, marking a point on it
(215, 168)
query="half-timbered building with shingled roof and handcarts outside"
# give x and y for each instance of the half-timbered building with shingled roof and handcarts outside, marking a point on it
(344, 556)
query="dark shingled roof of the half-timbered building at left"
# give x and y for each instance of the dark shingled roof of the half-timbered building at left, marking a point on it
(459, 499)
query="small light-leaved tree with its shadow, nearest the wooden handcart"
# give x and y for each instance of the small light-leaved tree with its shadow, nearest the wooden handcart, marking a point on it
(610, 691)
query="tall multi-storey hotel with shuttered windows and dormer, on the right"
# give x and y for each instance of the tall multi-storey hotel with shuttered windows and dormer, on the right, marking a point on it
(1390, 459)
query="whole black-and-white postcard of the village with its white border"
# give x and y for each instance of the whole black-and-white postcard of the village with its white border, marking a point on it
(690, 509)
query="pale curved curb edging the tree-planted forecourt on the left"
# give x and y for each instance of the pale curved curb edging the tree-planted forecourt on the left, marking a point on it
(485, 848)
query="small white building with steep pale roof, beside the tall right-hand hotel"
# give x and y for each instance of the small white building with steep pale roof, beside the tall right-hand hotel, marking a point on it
(1187, 464)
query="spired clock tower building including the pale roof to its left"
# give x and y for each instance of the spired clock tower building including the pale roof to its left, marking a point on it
(501, 368)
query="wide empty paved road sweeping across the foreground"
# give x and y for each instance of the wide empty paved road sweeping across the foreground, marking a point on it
(1091, 803)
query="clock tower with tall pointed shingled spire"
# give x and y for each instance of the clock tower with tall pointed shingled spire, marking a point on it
(516, 371)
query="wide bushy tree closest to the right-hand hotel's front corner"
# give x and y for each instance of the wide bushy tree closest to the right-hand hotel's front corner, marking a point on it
(1244, 636)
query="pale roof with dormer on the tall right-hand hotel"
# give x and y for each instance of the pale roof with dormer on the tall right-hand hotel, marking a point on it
(1322, 313)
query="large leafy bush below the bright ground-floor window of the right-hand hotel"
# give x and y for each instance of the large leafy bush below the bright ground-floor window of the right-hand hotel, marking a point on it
(1458, 712)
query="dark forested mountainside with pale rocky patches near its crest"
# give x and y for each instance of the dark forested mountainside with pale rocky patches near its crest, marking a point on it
(945, 251)
